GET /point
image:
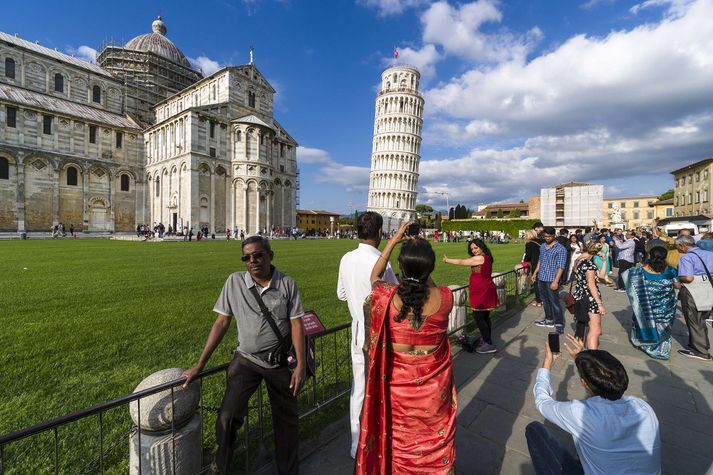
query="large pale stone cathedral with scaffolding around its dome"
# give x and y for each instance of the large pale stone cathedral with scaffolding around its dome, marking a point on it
(139, 138)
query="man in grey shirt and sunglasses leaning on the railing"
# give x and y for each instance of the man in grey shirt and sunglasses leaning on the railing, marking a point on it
(256, 341)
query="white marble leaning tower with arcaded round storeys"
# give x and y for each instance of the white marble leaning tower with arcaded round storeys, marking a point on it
(396, 150)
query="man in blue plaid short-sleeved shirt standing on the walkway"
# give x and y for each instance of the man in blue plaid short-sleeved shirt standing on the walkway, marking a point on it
(547, 275)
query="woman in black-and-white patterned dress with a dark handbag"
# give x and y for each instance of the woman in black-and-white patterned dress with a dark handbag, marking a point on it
(589, 307)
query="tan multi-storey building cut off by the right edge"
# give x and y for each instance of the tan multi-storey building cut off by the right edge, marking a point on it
(691, 194)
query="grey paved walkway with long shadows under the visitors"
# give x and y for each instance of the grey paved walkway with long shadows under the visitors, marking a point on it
(495, 400)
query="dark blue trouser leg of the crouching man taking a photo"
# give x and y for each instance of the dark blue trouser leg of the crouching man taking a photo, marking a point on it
(547, 454)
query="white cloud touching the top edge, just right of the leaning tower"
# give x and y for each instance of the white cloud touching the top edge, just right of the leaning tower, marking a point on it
(457, 30)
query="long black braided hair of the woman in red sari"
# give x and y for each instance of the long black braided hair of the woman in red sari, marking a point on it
(416, 261)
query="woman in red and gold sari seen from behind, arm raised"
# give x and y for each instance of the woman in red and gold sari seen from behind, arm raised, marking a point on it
(409, 414)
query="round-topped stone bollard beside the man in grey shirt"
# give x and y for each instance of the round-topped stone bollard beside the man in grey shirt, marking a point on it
(159, 449)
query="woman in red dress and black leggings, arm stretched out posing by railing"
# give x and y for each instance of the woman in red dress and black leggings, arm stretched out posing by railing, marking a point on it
(483, 294)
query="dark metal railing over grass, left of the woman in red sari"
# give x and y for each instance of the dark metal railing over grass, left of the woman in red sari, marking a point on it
(93, 450)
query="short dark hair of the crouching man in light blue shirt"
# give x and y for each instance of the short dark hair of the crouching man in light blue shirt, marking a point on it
(604, 374)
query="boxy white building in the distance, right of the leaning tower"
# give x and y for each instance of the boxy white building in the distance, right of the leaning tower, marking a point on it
(571, 204)
